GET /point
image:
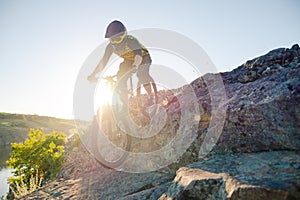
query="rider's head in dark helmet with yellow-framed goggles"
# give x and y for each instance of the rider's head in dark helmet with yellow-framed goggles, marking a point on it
(116, 32)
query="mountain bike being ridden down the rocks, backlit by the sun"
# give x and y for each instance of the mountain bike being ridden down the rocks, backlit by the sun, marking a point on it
(111, 142)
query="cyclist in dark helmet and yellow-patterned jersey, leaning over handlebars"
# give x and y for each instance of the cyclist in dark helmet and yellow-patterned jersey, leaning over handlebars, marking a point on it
(135, 56)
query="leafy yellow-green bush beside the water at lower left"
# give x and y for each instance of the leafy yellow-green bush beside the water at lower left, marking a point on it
(41, 152)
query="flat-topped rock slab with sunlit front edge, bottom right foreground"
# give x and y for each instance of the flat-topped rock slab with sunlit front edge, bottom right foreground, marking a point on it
(268, 175)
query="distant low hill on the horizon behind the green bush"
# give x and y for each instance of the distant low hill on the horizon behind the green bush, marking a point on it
(15, 127)
